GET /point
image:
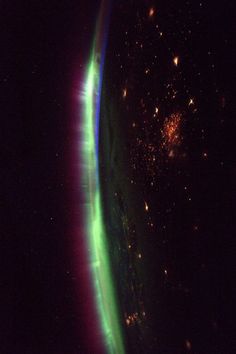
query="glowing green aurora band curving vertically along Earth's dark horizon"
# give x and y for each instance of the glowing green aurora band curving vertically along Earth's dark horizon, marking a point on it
(104, 290)
